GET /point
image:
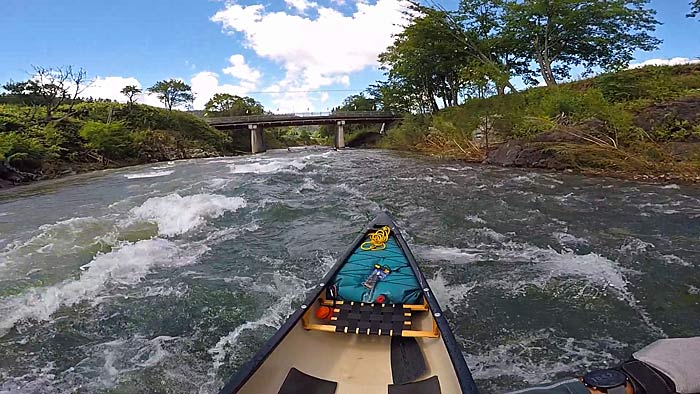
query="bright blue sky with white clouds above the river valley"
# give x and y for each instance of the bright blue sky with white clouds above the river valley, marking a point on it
(285, 46)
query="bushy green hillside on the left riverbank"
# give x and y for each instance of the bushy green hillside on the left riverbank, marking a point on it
(99, 135)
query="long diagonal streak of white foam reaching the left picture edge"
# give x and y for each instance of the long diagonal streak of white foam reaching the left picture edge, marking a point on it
(127, 265)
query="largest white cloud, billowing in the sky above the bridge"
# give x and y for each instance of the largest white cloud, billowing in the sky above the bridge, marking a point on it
(315, 52)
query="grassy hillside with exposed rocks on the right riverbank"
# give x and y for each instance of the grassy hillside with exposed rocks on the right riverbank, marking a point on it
(642, 122)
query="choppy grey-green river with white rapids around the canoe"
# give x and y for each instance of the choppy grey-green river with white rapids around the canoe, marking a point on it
(167, 277)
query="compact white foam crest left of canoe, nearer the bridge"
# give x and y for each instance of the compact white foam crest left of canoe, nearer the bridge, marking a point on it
(177, 215)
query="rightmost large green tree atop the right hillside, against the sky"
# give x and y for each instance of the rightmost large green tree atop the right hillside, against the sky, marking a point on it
(559, 34)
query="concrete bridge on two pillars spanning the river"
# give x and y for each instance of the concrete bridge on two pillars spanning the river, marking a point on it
(257, 123)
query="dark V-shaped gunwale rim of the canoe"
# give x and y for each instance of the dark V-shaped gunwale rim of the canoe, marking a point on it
(454, 351)
